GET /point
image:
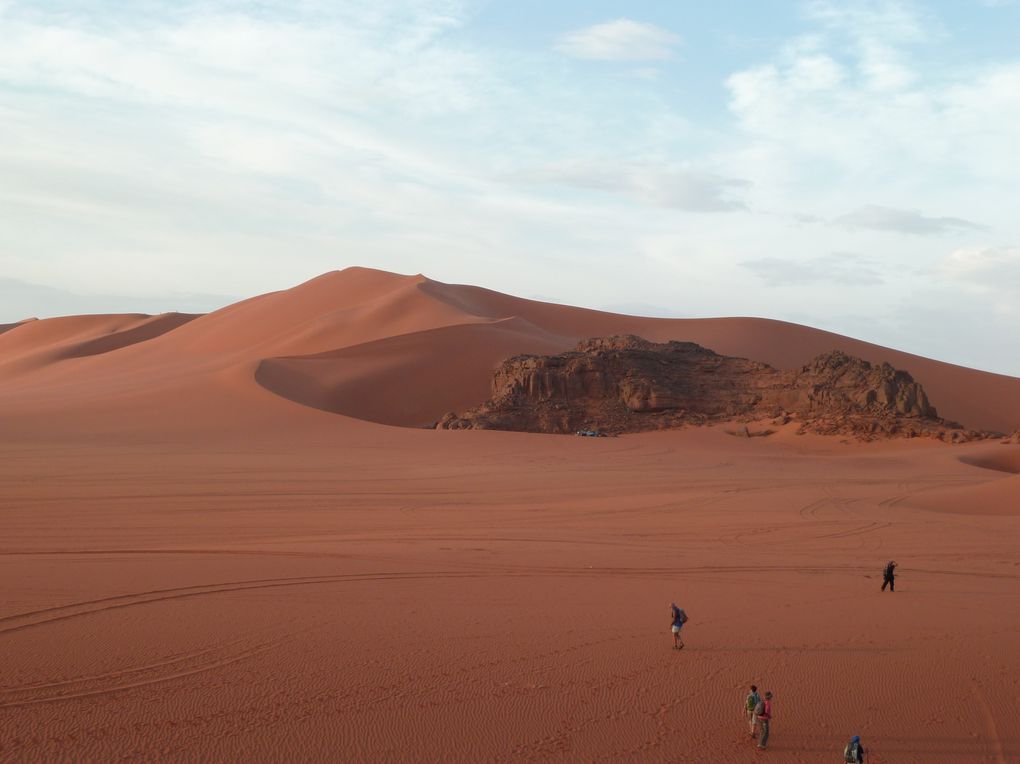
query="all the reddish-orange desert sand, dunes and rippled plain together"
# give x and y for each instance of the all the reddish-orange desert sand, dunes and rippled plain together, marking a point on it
(216, 544)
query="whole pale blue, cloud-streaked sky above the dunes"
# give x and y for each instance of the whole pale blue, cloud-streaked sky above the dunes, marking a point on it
(850, 166)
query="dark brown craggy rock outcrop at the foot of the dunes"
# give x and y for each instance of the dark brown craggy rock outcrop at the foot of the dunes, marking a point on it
(626, 384)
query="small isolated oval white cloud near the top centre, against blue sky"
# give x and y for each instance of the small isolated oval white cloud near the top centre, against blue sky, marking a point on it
(622, 40)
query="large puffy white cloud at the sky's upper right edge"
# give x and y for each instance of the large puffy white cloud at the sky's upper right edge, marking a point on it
(815, 124)
